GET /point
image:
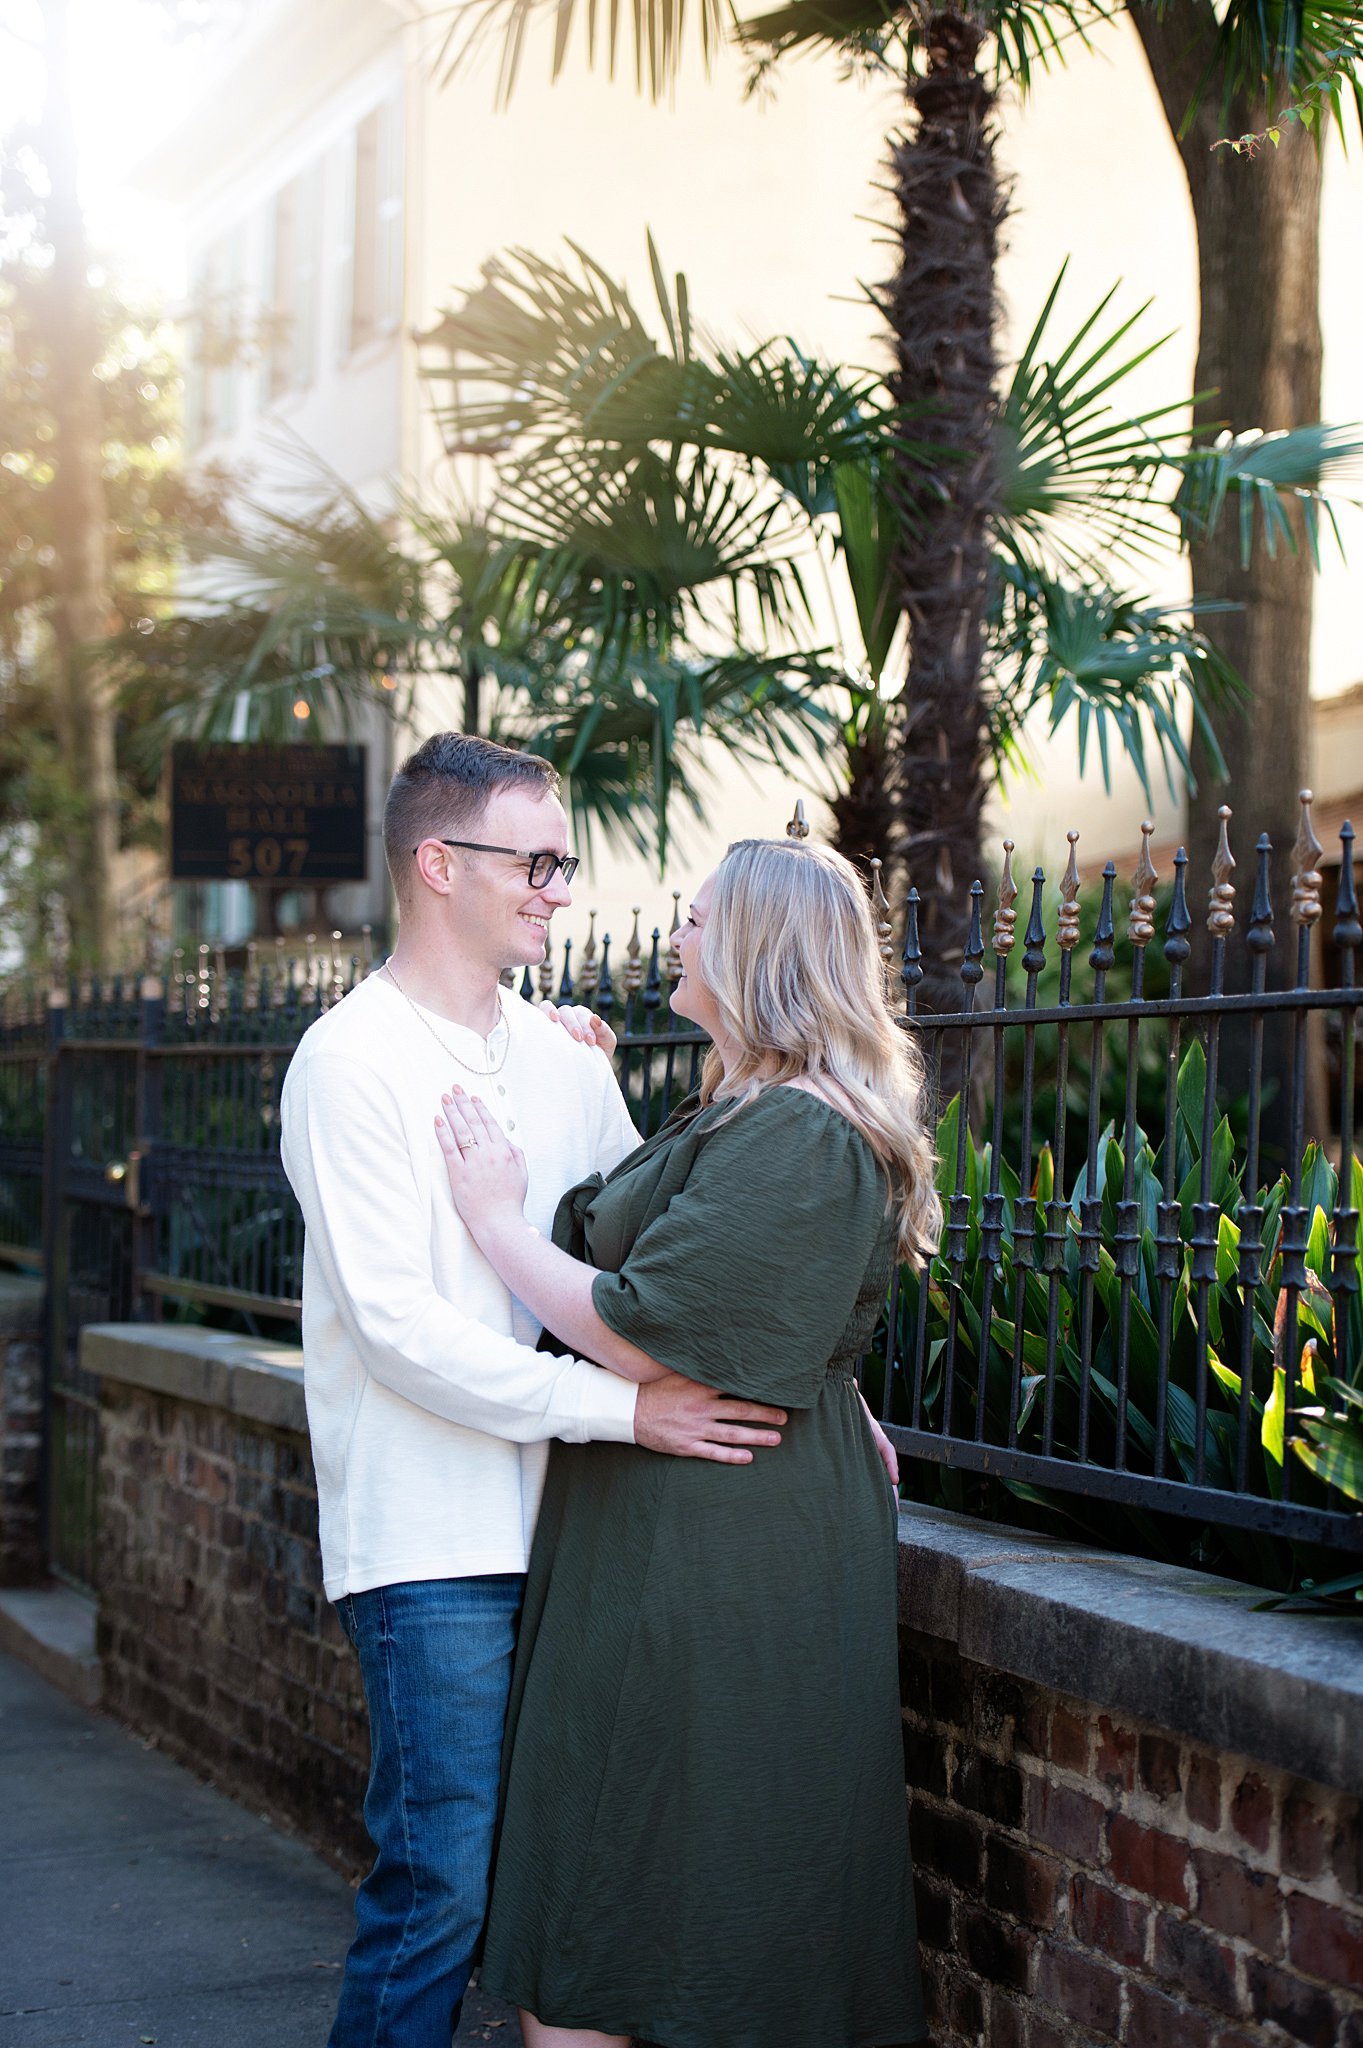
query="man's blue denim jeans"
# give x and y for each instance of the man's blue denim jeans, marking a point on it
(437, 1662)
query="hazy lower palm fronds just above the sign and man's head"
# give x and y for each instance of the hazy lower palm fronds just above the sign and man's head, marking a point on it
(314, 622)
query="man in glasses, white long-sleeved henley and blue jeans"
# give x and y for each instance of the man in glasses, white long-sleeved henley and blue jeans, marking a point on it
(429, 1406)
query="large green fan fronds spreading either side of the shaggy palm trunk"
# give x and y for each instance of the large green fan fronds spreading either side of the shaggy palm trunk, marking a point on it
(615, 441)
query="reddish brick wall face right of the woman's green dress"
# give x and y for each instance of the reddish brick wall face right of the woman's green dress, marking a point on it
(1090, 1879)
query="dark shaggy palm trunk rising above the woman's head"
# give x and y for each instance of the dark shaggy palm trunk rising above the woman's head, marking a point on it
(942, 316)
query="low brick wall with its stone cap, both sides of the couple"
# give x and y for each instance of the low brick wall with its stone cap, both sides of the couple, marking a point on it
(1086, 1873)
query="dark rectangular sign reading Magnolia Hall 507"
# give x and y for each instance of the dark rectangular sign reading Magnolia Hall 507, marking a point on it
(253, 814)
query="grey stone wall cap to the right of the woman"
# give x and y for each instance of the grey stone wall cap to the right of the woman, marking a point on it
(1170, 1646)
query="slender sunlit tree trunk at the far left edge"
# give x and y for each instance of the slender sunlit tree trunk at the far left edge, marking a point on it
(83, 607)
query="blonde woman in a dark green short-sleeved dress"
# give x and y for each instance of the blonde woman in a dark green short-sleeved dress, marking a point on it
(705, 1838)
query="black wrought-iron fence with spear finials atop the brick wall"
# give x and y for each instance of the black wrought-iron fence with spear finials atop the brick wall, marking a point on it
(1147, 1275)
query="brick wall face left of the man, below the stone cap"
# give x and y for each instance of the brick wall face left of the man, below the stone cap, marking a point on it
(214, 1629)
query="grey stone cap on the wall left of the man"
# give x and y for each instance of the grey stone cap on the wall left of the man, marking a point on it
(247, 1377)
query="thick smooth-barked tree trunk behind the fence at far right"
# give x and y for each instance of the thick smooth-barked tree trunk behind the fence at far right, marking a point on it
(1260, 364)
